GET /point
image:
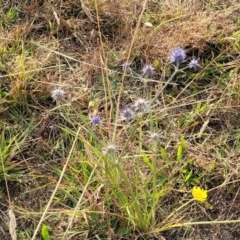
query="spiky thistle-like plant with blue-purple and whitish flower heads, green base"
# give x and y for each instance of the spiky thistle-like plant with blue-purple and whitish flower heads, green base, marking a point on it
(137, 197)
